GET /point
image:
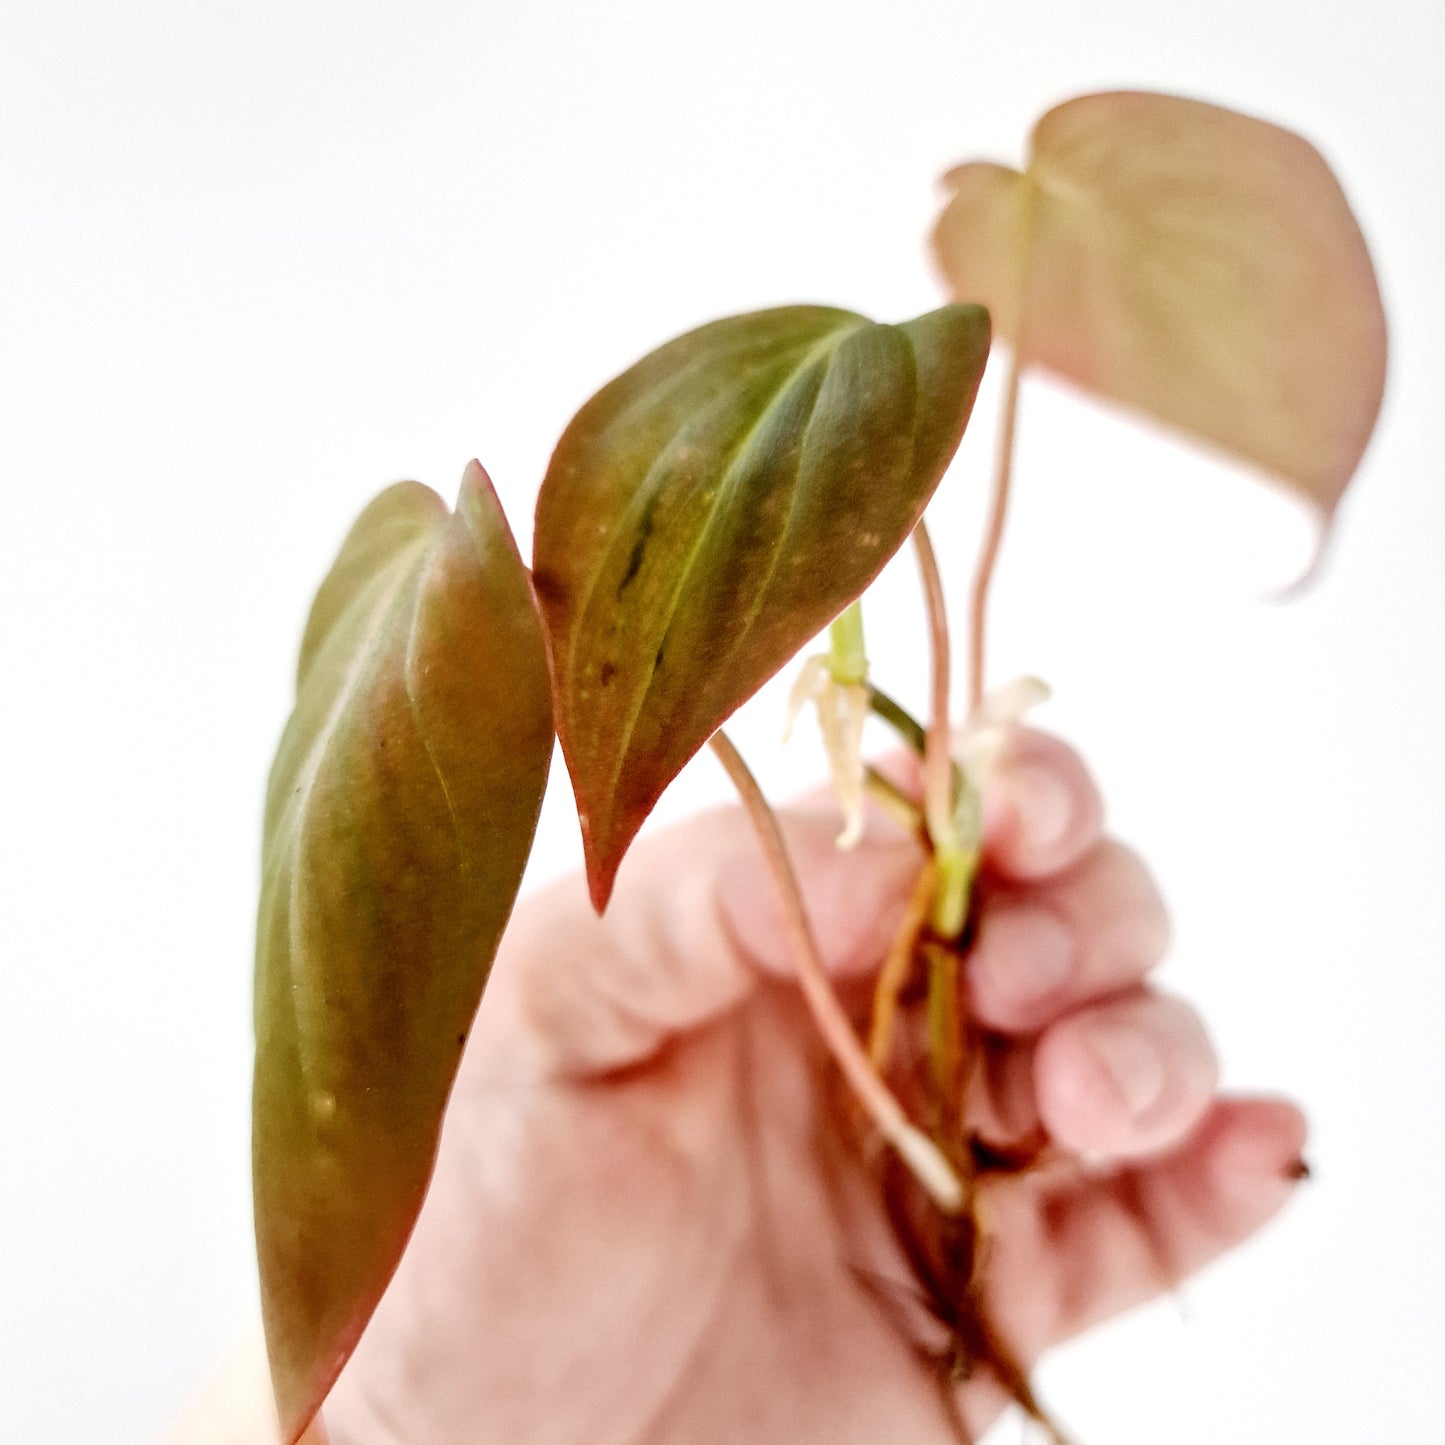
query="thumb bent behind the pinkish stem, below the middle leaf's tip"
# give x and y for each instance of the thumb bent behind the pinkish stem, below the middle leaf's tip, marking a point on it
(694, 921)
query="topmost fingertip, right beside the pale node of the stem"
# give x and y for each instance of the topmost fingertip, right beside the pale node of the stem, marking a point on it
(1043, 811)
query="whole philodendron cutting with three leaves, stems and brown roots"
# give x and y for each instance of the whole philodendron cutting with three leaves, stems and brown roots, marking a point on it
(704, 518)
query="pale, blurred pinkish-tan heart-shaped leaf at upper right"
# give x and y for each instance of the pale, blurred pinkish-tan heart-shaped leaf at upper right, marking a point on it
(1187, 262)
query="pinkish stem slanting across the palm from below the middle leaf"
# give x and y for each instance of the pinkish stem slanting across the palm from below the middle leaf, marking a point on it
(914, 1147)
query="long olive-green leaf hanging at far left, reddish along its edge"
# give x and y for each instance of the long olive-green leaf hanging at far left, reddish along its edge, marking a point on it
(398, 821)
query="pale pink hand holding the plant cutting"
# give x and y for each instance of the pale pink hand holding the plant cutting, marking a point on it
(648, 1220)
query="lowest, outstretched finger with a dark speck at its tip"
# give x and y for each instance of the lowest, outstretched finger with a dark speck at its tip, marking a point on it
(1100, 1246)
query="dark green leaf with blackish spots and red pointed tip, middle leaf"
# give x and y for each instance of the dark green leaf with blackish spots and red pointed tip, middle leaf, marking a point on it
(712, 511)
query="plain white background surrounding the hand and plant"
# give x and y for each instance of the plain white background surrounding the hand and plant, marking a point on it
(259, 261)
